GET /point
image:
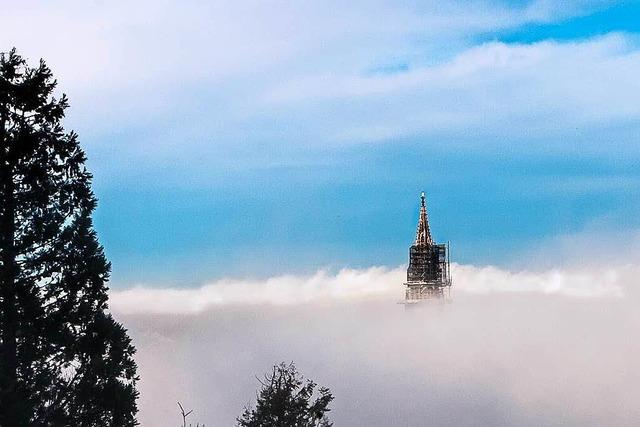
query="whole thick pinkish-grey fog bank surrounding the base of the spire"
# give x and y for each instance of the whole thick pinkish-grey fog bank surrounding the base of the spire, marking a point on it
(525, 349)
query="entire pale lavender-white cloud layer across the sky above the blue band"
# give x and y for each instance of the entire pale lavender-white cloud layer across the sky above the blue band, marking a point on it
(205, 65)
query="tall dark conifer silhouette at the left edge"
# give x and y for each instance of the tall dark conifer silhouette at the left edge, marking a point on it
(64, 361)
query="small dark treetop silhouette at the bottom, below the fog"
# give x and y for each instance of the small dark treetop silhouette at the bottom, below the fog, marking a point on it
(287, 400)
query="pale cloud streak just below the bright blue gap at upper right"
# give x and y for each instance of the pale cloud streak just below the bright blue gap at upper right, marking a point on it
(495, 89)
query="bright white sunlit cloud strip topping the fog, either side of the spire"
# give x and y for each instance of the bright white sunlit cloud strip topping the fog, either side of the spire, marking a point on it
(348, 284)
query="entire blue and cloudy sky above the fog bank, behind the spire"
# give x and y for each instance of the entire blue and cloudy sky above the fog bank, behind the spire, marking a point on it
(255, 138)
